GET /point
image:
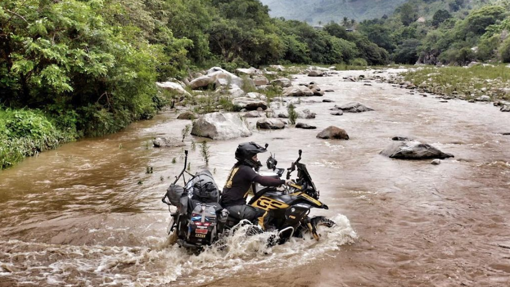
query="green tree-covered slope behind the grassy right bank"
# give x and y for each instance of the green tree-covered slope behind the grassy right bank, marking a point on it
(443, 32)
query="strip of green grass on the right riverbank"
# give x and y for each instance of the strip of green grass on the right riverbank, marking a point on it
(462, 82)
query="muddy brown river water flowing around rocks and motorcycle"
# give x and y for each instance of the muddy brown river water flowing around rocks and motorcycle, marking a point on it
(88, 214)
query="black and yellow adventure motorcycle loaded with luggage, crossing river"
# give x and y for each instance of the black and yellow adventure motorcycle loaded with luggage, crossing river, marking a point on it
(200, 220)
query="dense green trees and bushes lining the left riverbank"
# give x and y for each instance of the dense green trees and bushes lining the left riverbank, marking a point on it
(77, 68)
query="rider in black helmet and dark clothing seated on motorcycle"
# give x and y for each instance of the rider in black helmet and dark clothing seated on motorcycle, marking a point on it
(241, 181)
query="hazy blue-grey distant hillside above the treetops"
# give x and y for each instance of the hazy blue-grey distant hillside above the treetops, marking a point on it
(313, 11)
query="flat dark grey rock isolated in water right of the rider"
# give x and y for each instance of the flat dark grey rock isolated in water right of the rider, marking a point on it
(413, 150)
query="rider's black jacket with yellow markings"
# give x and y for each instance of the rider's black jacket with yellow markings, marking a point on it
(240, 183)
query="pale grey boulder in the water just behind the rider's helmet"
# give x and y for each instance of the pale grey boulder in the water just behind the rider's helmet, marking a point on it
(220, 126)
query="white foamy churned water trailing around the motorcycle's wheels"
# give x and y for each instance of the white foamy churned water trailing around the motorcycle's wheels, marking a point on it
(160, 263)
